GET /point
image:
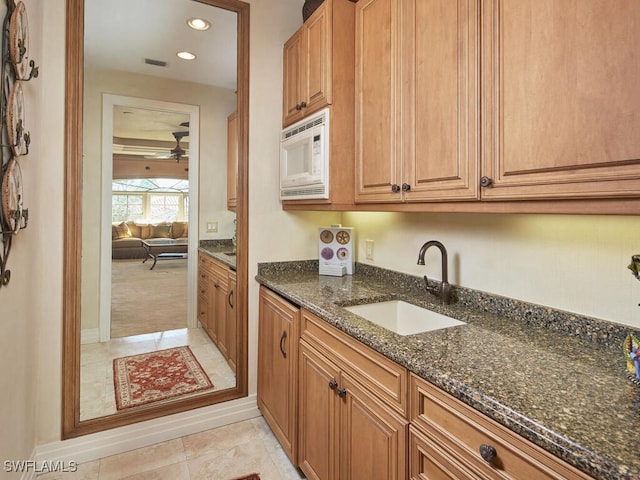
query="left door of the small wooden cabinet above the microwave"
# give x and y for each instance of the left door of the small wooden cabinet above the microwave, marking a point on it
(294, 77)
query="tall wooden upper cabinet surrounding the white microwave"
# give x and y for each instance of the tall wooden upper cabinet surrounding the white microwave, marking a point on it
(318, 72)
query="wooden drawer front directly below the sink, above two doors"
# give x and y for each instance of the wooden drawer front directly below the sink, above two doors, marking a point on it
(385, 378)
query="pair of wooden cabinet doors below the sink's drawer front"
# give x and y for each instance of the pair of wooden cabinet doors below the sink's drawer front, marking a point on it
(344, 432)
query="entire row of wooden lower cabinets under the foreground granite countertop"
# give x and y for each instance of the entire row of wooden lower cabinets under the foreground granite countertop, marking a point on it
(343, 411)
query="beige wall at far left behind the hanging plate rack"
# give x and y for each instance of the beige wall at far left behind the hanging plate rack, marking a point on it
(30, 306)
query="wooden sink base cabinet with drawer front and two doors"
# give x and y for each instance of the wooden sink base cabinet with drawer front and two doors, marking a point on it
(346, 429)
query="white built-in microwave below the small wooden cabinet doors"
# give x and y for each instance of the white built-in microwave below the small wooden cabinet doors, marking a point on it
(304, 158)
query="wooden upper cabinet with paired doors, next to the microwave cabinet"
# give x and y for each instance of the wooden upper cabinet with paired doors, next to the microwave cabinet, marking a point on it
(417, 104)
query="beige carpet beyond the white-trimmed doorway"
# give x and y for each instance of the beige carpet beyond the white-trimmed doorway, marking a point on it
(147, 301)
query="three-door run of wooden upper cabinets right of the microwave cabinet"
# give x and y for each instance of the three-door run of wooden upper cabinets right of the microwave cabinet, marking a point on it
(558, 103)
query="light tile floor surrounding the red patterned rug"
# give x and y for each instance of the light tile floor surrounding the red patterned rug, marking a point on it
(97, 396)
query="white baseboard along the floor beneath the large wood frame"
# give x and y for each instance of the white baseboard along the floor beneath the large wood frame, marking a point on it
(118, 440)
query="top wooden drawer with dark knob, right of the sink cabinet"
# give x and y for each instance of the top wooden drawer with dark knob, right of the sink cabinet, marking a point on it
(459, 431)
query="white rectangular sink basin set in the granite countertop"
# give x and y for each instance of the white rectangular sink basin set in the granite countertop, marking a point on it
(403, 318)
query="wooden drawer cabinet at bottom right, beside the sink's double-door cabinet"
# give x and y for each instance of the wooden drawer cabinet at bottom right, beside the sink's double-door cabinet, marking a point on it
(450, 440)
